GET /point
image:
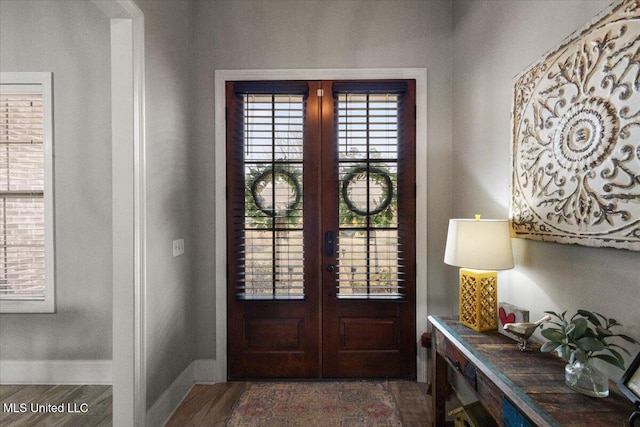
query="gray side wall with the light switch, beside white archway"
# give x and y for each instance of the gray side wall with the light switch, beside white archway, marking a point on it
(168, 122)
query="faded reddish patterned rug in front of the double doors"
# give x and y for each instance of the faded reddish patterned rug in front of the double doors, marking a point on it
(325, 404)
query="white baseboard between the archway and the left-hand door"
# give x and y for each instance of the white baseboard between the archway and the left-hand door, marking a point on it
(198, 371)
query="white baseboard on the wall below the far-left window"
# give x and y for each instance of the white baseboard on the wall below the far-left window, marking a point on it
(56, 372)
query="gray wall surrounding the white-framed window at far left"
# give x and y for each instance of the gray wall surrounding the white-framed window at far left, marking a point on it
(70, 39)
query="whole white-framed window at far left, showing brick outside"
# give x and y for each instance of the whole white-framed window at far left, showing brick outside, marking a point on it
(26, 196)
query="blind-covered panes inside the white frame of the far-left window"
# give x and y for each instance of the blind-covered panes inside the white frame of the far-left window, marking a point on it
(22, 230)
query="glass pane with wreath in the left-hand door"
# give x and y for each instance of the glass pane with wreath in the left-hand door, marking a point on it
(273, 211)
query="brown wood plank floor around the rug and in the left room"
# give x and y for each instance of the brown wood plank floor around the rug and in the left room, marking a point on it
(205, 405)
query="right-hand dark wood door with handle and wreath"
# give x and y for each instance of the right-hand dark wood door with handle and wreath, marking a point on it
(368, 297)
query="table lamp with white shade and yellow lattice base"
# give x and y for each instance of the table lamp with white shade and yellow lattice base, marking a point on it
(480, 247)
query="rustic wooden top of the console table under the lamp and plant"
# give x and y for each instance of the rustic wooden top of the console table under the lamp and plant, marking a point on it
(534, 380)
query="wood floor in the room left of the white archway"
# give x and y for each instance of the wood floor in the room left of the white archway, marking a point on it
(55, 405)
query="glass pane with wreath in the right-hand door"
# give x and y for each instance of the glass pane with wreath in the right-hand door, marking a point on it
(370, 256)
